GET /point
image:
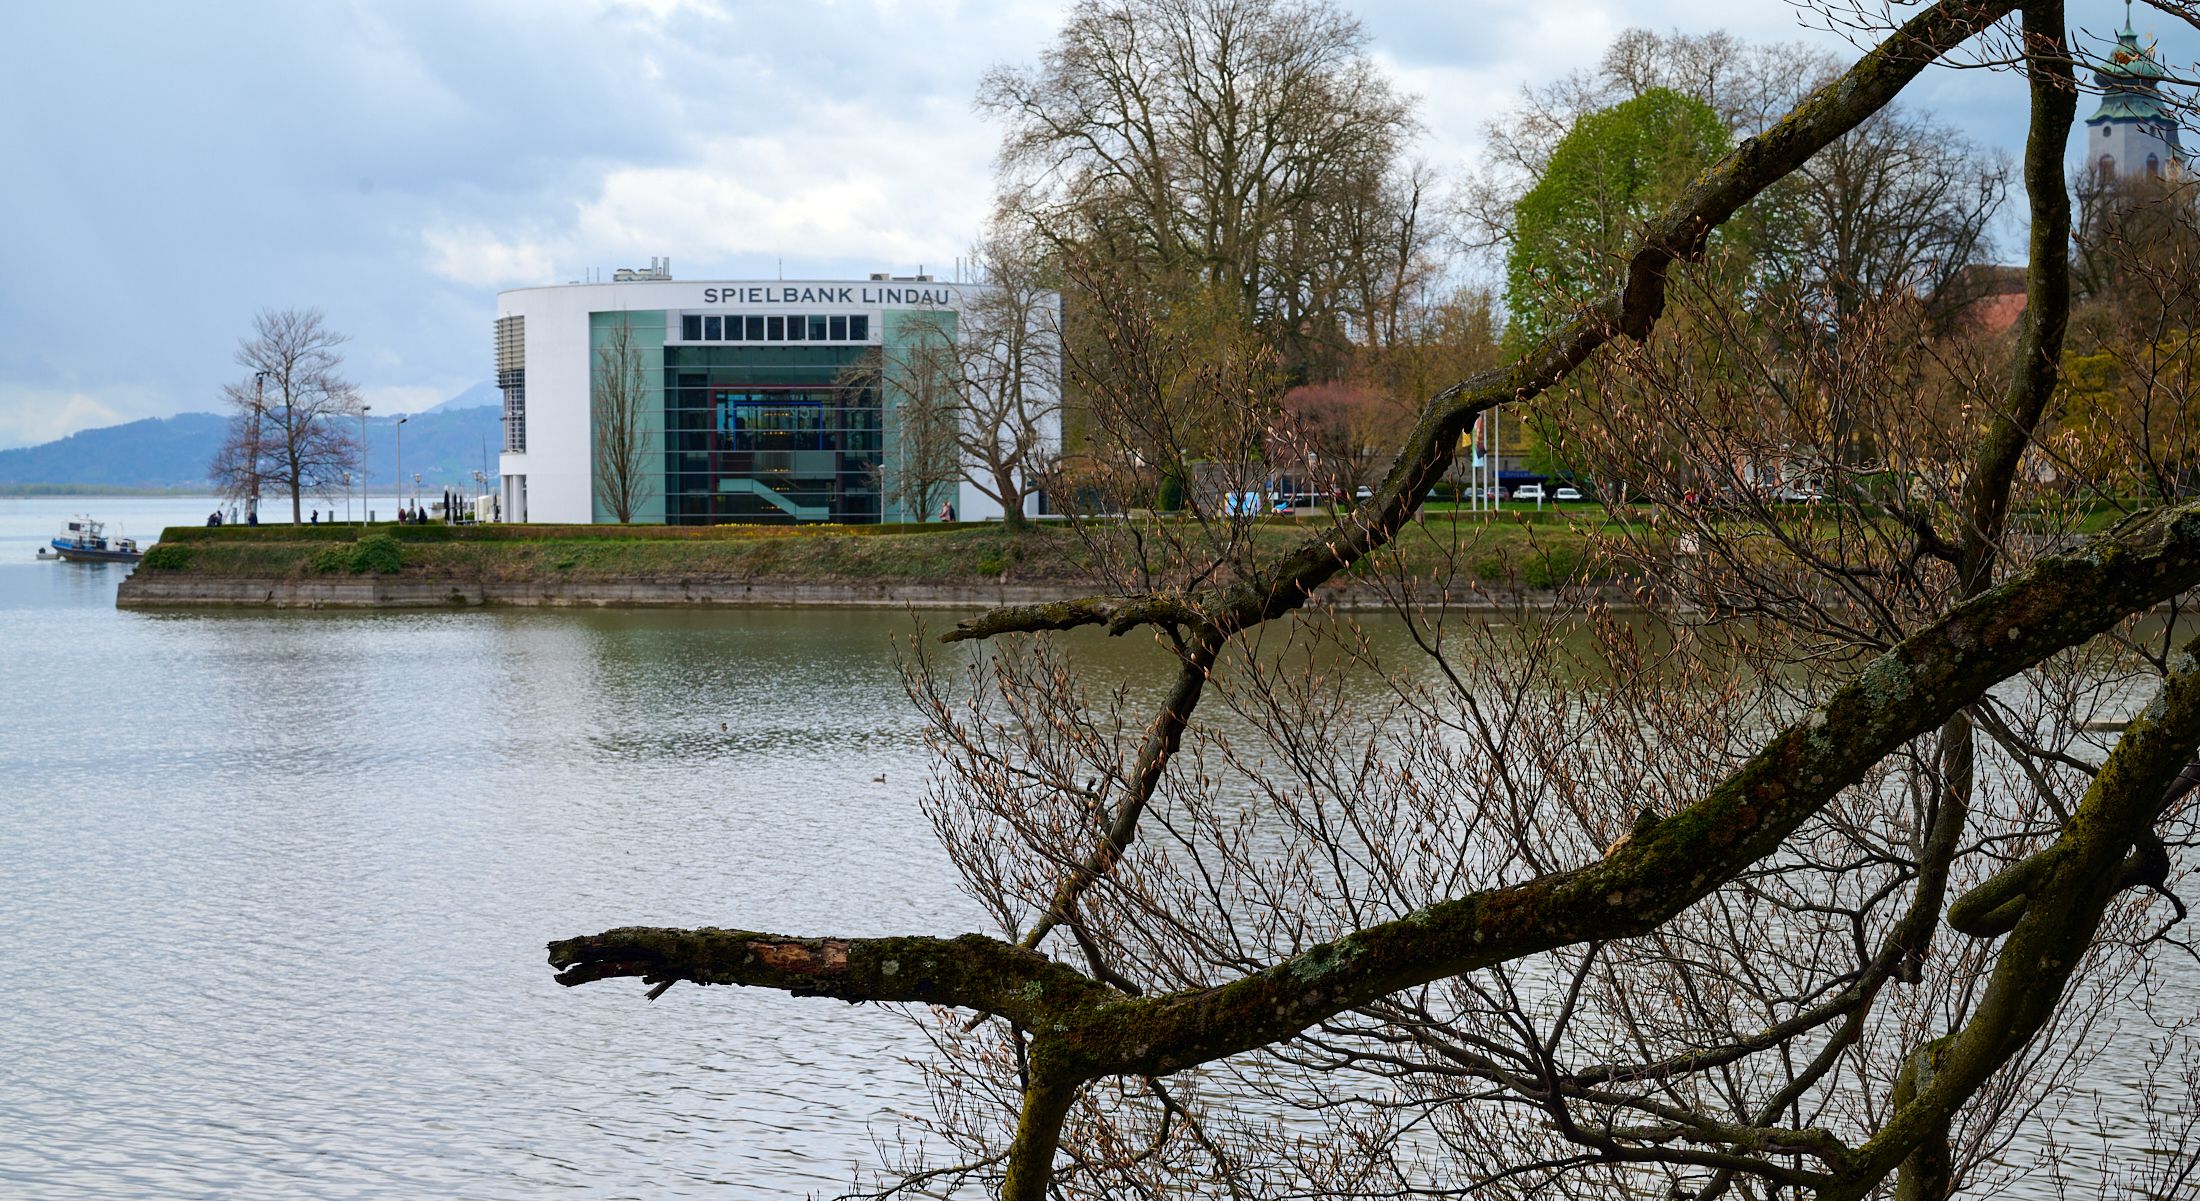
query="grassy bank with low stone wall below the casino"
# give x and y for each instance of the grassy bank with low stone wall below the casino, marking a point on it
(967, 566)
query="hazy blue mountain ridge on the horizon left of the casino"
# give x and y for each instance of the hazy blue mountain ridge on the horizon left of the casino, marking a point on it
(443, 445)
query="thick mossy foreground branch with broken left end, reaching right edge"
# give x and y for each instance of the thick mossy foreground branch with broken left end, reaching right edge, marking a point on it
(1097, 1031)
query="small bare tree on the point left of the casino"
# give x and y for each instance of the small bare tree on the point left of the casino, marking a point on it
(287, 430)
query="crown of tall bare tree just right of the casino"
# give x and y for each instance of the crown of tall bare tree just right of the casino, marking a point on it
(1244, 144)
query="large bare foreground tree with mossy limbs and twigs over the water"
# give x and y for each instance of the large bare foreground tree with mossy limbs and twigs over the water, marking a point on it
(1818, 905)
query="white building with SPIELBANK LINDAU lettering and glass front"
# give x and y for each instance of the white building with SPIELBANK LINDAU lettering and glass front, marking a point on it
(760, 401)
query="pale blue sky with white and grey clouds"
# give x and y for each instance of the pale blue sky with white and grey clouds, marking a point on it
(175, 168)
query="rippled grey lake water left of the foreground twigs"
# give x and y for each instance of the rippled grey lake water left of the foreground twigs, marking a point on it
(274, 892)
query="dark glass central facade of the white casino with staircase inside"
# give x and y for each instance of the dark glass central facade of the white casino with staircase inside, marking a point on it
(771, 434)
